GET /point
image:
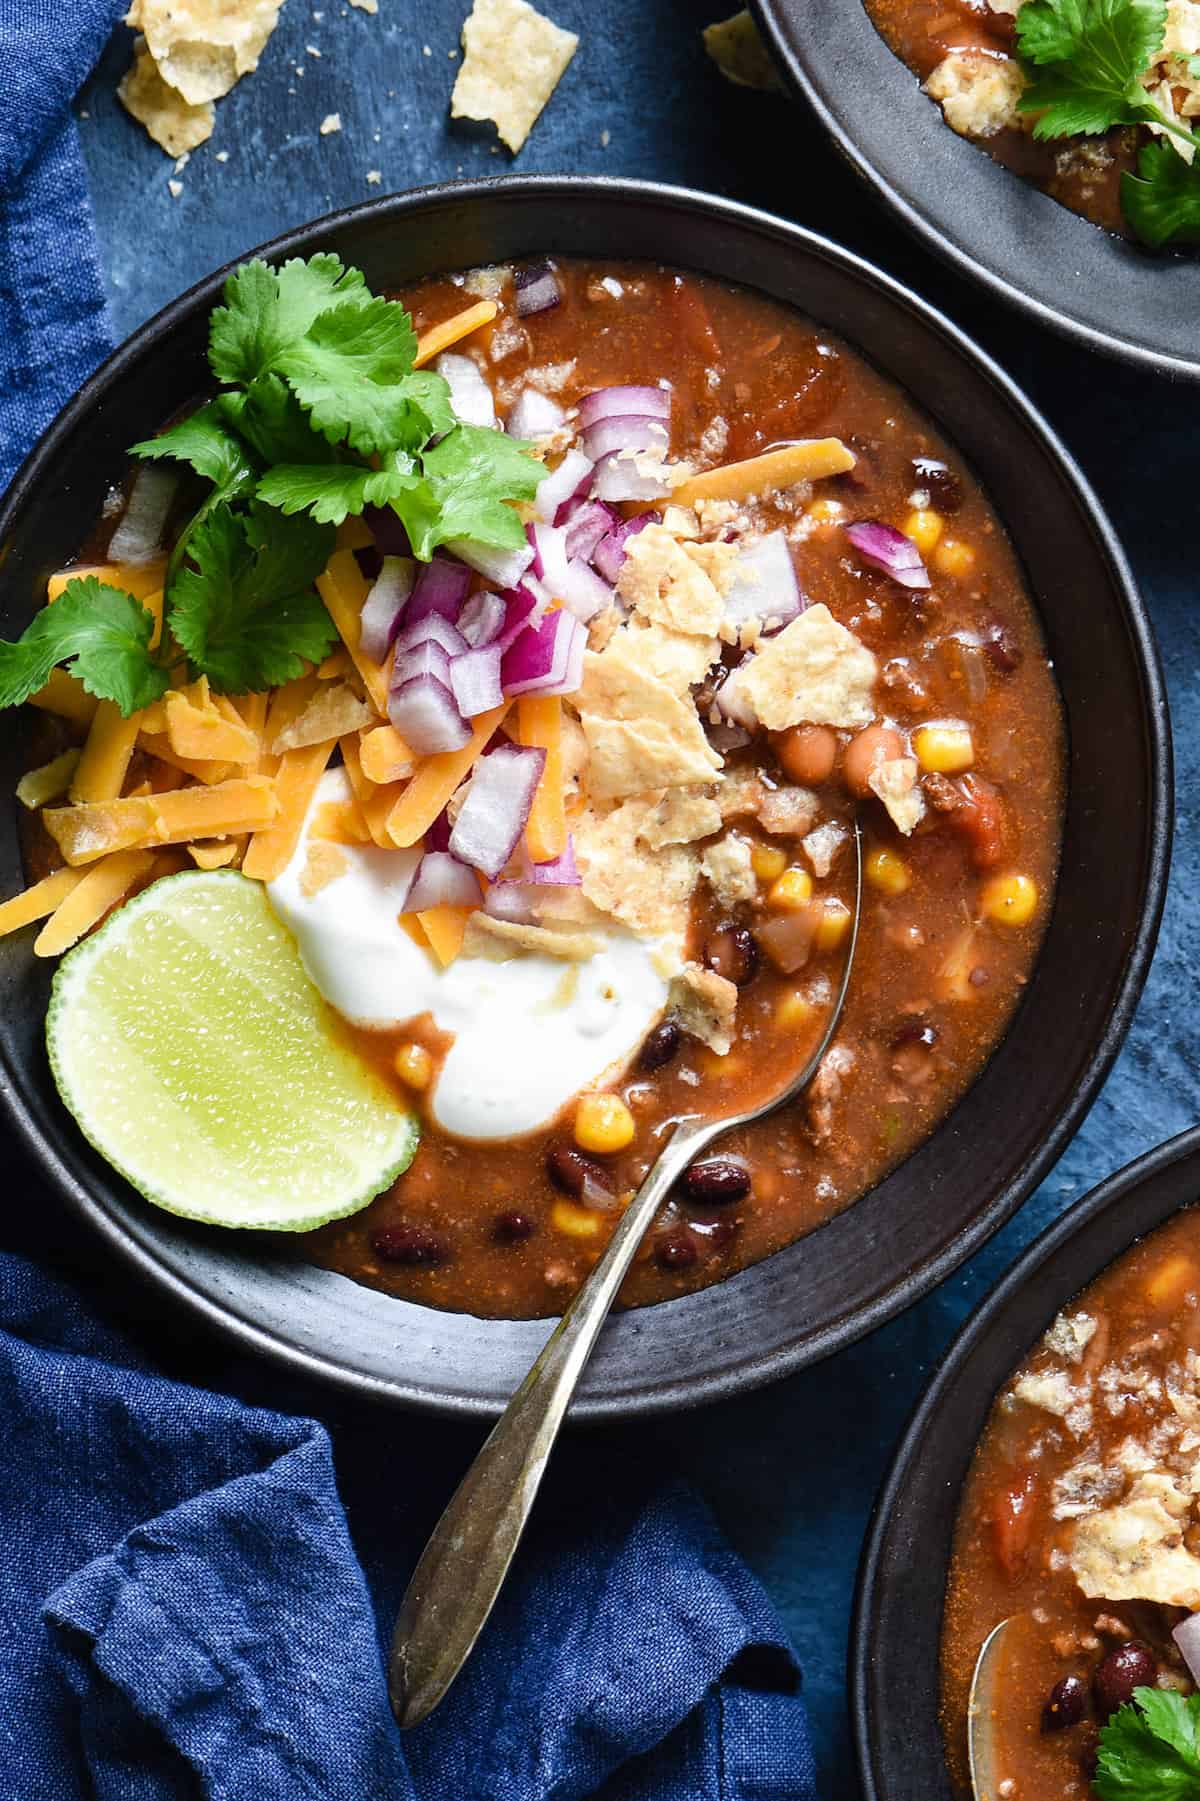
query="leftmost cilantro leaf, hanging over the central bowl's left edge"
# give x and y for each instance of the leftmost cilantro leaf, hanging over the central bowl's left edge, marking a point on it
(102, 633)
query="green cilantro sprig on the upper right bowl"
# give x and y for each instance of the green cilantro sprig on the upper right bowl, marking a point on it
(1087, 62)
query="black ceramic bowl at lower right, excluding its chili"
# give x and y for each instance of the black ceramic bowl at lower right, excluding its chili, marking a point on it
(898, 1615)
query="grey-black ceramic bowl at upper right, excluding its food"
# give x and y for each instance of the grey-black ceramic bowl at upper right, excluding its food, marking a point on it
(1104, 293)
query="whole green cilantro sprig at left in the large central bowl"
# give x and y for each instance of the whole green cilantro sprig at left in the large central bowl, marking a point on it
(320, 413)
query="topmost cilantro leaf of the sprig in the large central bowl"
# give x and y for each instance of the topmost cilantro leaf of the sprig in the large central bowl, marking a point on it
(269, 311)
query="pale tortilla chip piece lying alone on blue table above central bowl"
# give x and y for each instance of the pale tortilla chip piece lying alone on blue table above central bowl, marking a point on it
(514, 60)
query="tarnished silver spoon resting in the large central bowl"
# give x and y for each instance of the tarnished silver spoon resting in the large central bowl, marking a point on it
(466, 1562)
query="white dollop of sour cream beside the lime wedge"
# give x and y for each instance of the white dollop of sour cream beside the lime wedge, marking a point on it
(529, 1033)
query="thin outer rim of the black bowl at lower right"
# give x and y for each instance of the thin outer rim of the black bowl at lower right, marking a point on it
(1174, 1155)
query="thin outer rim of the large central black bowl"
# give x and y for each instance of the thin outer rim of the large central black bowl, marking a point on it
(913, 1283)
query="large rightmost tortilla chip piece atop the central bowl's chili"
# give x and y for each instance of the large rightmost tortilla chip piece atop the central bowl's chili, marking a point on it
(810, 674)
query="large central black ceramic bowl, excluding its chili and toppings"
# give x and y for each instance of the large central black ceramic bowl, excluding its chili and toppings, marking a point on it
(907, 1235)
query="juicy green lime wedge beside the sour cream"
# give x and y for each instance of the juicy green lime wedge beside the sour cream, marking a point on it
(197, 1056)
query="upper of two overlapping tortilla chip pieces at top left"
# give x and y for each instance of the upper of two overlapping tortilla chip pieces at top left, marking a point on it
(203, 48)
